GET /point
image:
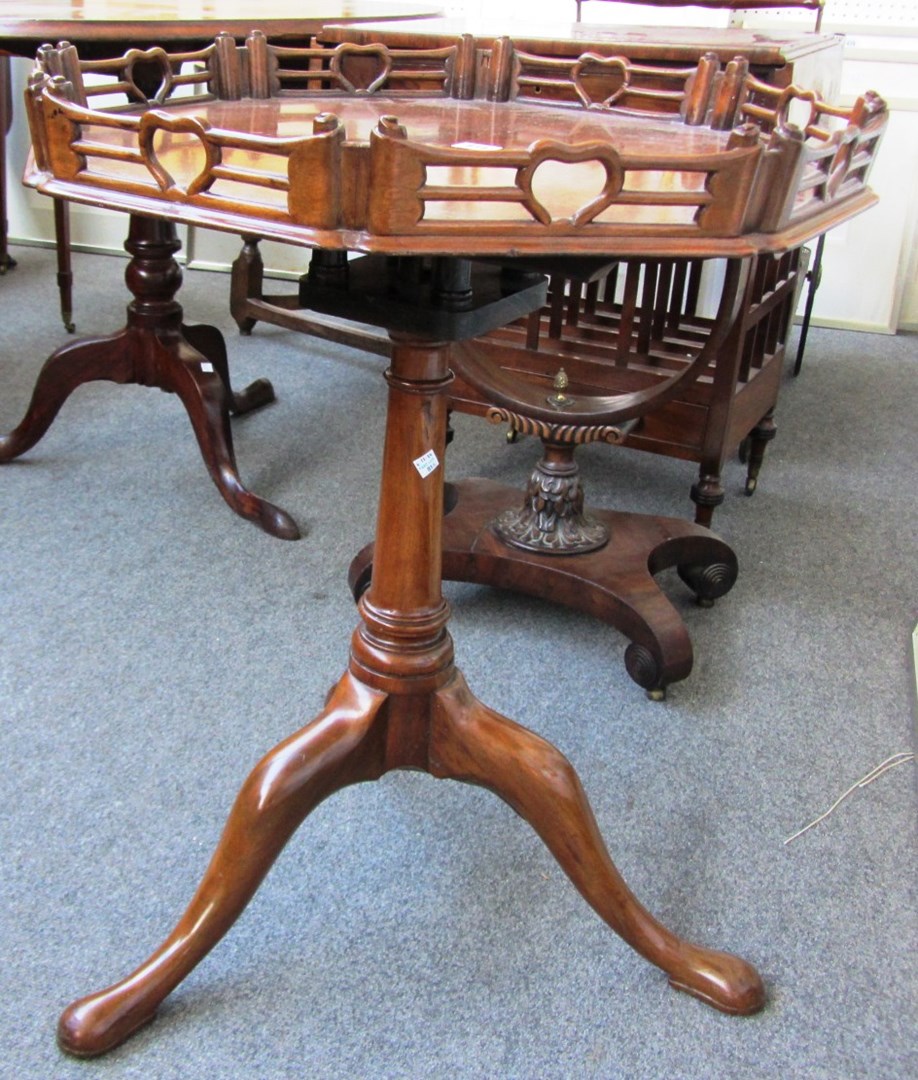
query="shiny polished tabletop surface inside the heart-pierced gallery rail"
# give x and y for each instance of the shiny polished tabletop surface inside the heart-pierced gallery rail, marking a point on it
(476, 129)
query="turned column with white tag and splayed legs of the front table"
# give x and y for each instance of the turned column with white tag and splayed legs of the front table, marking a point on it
(403, 705)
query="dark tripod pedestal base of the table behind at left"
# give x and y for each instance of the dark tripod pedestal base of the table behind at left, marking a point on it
(155, 350)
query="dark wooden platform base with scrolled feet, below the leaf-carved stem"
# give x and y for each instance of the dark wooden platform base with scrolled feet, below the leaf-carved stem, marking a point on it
(616, 584)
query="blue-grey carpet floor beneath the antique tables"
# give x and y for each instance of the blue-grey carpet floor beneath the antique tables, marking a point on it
(153, 647)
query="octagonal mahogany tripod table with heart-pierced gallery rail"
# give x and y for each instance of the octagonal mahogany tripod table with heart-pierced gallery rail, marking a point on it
(404, 174)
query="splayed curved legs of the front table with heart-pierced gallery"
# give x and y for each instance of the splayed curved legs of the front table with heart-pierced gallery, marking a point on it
(362, 734)
